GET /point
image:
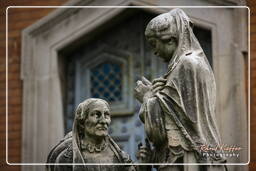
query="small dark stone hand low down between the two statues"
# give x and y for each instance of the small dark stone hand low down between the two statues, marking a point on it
(144, 154)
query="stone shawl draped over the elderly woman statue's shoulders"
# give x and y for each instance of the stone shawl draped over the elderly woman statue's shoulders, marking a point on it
(64, 152)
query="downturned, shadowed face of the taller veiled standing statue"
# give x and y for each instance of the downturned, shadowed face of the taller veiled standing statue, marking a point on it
(163, 48)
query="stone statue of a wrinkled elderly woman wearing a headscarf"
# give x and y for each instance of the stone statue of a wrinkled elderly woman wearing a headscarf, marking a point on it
(89, 142)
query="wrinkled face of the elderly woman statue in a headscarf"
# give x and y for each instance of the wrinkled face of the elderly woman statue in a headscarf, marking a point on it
(98, 119)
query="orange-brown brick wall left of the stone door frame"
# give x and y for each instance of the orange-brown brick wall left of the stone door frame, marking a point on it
(18, 20)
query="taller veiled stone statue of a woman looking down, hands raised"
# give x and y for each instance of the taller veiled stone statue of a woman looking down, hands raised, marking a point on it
(178, 109)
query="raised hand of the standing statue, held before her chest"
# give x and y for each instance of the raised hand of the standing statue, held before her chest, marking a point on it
(142, 91)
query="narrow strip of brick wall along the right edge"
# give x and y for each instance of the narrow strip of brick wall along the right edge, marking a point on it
(252, 5)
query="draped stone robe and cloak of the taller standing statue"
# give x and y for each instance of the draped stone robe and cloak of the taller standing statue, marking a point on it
(180, 118)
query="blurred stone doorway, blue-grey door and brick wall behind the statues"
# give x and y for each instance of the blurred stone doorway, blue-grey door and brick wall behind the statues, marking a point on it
(57, 57)
